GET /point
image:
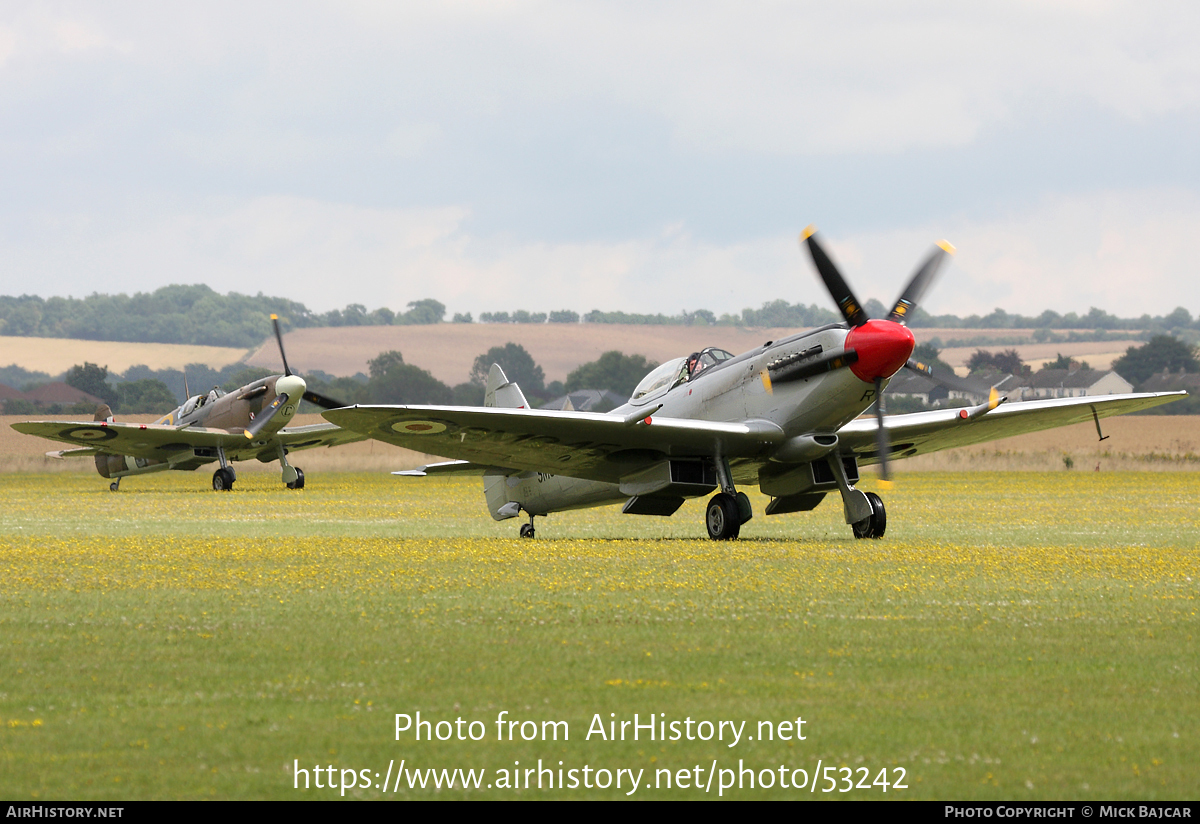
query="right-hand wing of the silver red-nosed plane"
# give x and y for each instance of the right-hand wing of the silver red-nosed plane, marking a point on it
(945, 429)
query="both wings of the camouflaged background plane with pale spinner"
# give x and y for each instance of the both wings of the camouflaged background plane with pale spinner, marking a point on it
(159, 442)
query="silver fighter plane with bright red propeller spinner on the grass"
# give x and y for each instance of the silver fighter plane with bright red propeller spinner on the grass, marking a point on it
(784, 417)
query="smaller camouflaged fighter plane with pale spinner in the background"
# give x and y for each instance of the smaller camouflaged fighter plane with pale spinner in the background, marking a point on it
(226, 428)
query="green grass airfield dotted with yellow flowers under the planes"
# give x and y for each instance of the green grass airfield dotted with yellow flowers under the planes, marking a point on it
(1016, 636)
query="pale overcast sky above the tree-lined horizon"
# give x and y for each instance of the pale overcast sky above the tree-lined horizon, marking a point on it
(647, 158)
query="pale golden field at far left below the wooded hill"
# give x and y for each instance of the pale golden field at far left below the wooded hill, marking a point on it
(57, 356)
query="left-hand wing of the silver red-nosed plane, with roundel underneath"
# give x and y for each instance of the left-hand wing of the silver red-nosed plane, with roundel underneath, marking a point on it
(589, 446)
